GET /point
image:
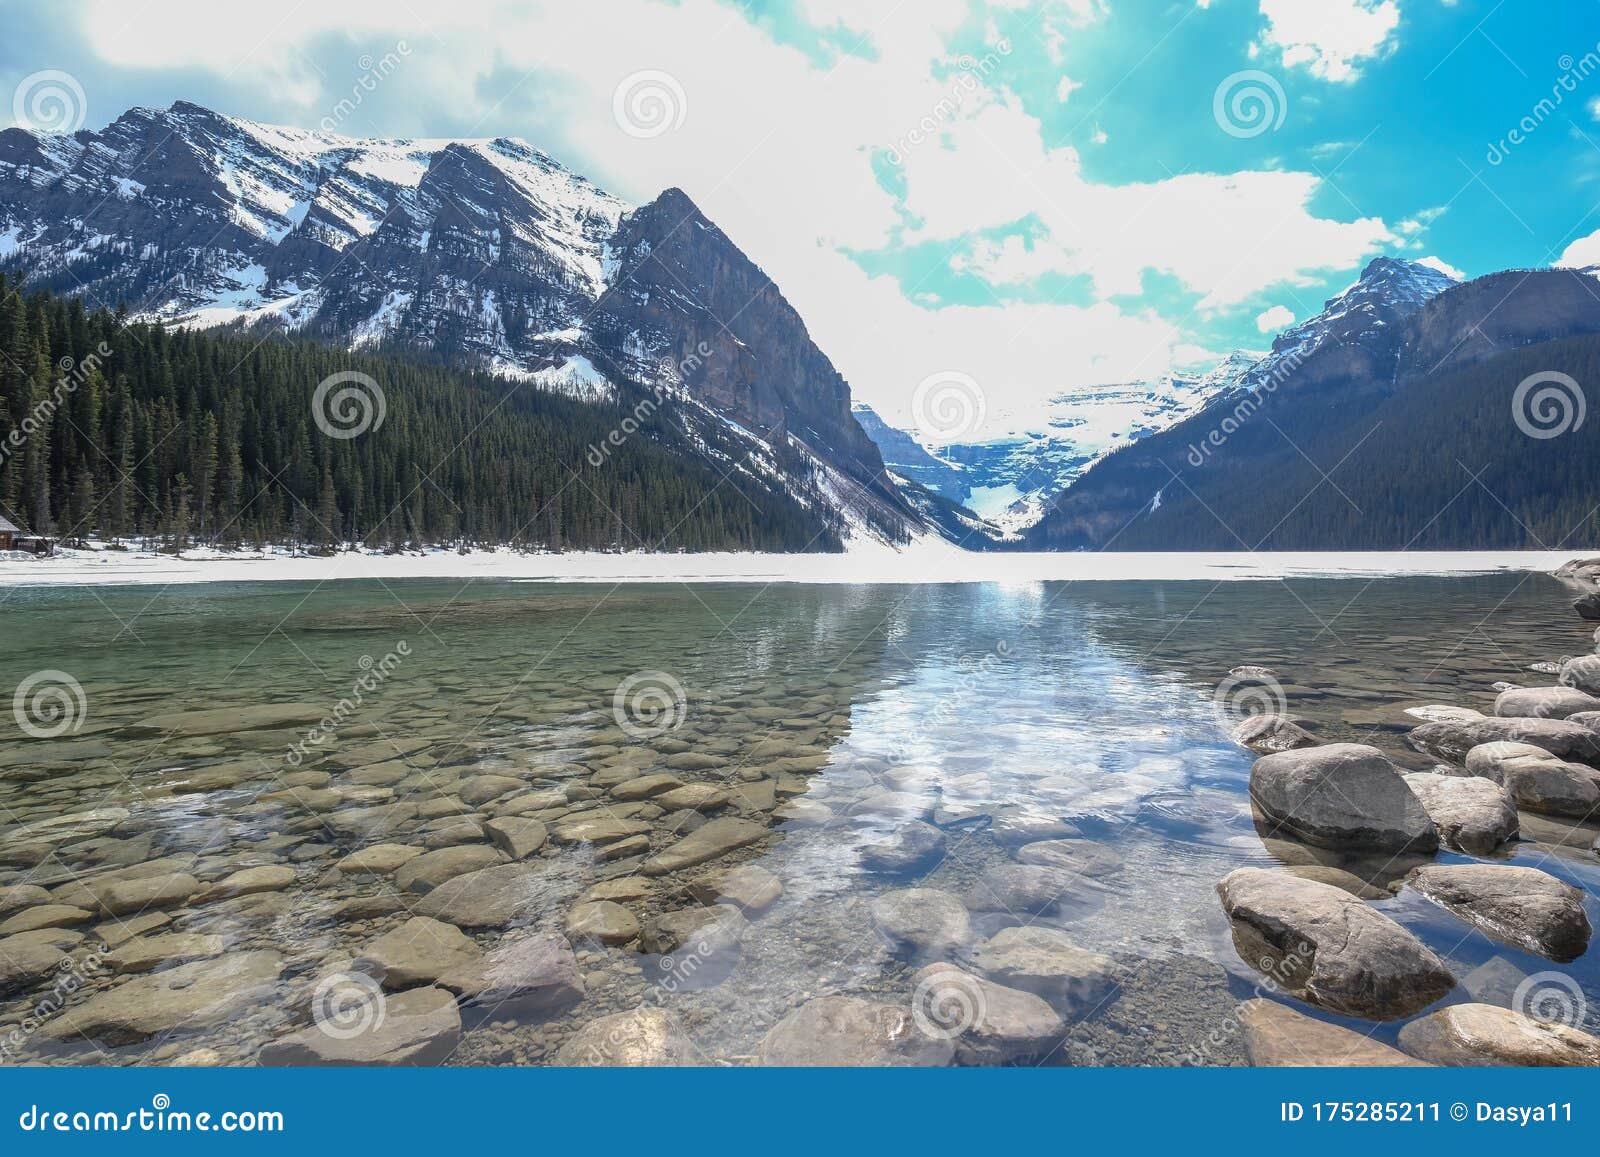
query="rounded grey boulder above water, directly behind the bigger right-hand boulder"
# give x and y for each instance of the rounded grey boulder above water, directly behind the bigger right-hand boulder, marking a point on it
(1342, 796)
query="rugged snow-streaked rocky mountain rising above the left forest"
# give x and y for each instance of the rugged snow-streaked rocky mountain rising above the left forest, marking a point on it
(486, 254)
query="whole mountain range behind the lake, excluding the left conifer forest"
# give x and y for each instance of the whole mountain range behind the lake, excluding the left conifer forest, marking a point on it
(490, 257)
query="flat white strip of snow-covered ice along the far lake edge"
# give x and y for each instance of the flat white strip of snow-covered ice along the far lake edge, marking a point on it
(922, 562)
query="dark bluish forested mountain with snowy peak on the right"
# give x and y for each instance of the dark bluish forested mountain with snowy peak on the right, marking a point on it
(1415, 412)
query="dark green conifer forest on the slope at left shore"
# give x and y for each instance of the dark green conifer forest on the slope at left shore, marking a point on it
(130, 431)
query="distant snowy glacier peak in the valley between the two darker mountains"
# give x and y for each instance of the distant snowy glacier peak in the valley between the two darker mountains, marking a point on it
(1009, 481)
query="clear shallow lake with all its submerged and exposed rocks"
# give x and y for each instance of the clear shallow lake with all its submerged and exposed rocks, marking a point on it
(1313, 822)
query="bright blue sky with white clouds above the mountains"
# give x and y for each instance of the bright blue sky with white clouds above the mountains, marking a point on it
(1036, 196)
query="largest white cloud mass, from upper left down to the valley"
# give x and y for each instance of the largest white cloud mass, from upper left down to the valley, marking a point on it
(778, 150)
